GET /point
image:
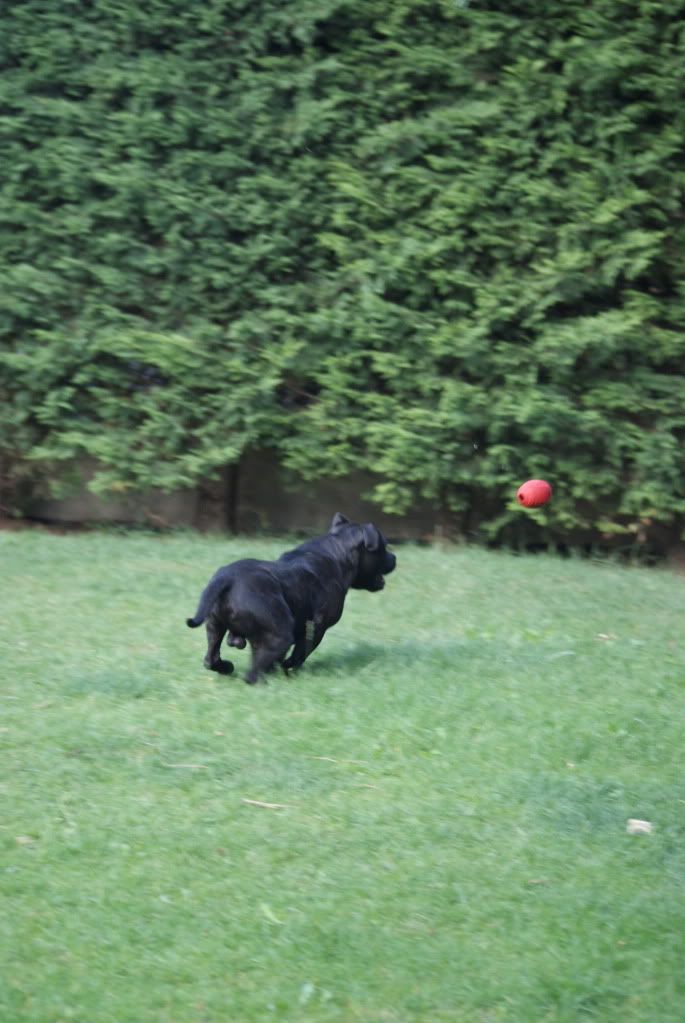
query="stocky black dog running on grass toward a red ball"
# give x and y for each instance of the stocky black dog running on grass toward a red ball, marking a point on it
(291, 602)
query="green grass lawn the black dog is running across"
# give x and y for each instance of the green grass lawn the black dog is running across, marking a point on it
(456, 766)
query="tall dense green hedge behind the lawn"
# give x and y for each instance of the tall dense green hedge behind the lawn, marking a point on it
(442, 241)
